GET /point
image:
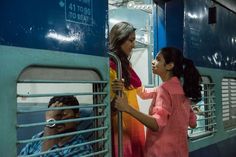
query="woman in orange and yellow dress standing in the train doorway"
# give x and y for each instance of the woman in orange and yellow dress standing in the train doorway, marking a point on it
(122, 41)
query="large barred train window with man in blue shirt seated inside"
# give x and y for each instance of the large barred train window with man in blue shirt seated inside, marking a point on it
(72, 127)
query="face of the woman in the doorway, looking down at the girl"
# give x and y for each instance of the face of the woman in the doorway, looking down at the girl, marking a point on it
(129, 44)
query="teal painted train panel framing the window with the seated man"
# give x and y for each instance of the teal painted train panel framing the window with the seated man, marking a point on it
(25, 57)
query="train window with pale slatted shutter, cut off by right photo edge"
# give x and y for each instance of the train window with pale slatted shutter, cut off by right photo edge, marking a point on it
(229, 102)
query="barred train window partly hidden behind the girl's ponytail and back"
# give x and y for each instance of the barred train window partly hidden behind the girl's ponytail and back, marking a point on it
(206, 121)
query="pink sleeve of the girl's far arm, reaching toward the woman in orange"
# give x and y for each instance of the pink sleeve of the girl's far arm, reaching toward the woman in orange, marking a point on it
(146, 93)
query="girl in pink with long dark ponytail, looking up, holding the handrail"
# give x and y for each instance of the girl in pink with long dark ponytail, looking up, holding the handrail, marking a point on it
(170, 112)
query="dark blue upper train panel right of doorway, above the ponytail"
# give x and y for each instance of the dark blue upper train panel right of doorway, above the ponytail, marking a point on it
(209, 45)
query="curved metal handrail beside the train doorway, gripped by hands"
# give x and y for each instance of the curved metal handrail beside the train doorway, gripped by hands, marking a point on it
(120, 126)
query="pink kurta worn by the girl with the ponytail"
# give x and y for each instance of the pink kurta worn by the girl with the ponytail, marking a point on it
(173, 114)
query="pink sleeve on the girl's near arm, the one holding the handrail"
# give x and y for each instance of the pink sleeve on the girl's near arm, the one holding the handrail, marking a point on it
(162, 108)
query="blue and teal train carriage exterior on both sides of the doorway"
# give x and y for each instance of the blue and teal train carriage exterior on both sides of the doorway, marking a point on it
(47, 42)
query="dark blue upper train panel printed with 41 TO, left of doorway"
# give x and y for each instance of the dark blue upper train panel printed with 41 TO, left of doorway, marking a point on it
(62, 25)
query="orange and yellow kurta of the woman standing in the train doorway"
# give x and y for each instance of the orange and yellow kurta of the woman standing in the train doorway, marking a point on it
(133, 130)
